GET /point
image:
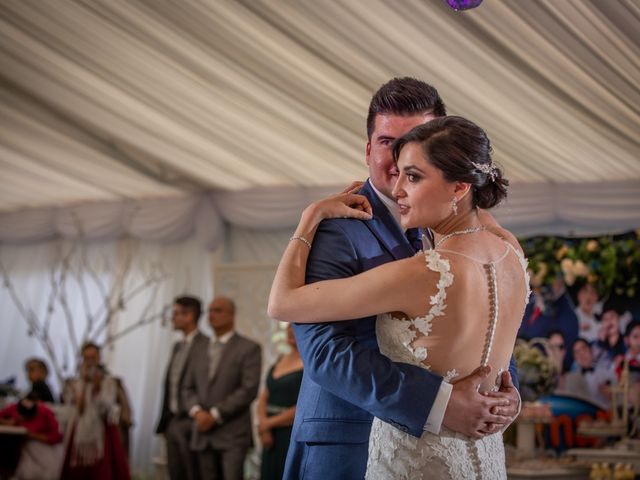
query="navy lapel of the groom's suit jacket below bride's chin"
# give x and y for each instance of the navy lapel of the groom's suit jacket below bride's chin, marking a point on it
(385, 227)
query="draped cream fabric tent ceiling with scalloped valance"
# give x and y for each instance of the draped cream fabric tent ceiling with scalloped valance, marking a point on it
(163, 119)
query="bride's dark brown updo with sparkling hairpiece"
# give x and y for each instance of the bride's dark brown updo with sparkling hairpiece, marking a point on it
(453, 145)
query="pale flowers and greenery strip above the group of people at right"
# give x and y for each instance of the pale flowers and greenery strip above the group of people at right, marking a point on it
(611, 264)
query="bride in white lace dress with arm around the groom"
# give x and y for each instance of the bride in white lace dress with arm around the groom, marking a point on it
(450, 308)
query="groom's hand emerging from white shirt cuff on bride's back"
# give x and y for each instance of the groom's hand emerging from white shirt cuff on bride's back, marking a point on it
(468, 411)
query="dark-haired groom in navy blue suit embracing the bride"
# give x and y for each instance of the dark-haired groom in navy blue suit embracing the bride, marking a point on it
(346, 379)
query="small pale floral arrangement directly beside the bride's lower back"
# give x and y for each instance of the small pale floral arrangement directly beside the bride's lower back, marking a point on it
(536, 371)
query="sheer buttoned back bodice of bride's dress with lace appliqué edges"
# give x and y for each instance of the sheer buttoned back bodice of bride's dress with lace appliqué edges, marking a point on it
(474, 312)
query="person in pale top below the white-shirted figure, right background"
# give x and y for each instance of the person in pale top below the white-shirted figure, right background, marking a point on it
(589, 380)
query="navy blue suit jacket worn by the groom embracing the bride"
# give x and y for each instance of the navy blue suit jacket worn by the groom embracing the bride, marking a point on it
(346, 379)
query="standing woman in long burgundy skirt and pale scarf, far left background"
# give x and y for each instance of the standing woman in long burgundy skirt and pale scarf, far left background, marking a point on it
(95, 447)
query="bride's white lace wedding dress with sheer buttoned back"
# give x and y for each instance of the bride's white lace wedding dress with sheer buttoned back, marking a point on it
(475, 310)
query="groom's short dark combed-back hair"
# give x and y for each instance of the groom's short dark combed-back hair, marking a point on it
(404, 96)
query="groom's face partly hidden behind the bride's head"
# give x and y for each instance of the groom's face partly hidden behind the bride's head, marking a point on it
(379, 156)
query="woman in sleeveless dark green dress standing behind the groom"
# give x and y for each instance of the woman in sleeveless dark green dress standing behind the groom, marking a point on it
(277, 408)
